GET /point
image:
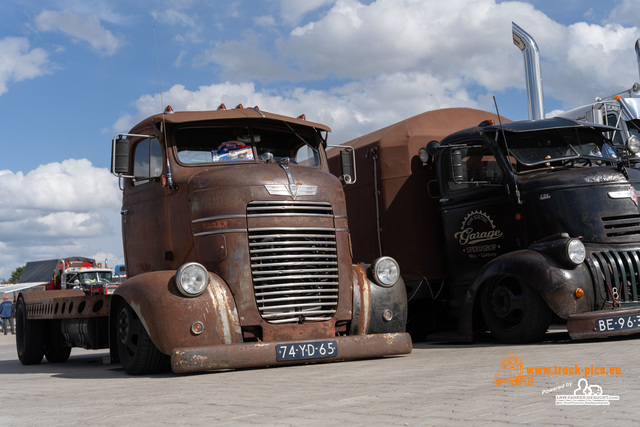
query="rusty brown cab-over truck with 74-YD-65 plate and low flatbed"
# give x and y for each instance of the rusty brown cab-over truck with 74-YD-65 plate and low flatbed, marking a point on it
(237, 249)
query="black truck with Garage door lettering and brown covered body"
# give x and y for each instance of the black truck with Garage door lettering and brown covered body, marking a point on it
(501, 228)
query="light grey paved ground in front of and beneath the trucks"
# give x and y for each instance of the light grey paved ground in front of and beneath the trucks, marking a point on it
(438, 384)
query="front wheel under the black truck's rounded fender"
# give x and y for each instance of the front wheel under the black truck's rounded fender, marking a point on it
(514, 312)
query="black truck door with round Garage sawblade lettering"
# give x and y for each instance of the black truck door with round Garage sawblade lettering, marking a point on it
(476, 209)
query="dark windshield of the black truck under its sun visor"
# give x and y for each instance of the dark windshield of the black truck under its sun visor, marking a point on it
(552, 145)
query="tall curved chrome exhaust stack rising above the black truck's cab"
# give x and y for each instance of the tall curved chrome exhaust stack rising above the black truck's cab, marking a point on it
(533, 73)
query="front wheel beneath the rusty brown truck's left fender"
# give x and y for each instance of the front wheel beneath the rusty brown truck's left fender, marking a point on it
(138, 355)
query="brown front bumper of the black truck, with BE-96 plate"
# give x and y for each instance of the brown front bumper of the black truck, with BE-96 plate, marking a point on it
(604, 323)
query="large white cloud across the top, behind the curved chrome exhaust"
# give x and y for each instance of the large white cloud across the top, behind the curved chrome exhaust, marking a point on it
(463, 41)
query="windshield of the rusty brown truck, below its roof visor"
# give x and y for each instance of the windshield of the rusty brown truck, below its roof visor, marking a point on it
(227, 144)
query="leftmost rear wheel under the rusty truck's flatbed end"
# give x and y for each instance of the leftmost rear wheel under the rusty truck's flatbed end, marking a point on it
(29, 336)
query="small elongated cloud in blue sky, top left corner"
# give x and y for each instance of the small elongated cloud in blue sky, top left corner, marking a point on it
(86, 28)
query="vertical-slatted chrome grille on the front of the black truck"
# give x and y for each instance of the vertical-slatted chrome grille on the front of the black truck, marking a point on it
(617, 275)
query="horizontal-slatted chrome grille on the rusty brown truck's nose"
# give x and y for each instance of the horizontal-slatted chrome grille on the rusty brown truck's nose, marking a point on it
(295, 269)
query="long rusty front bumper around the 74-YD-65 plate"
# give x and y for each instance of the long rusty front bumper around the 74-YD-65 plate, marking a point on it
(252, 355)
